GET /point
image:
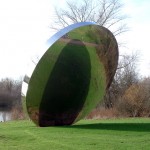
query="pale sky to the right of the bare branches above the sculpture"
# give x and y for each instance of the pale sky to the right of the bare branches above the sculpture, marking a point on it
(137, 38)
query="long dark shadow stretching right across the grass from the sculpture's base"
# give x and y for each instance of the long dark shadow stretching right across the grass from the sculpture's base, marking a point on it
(138, 127)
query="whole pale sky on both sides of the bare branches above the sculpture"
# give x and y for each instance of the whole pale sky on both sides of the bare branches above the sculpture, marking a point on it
(25, 27)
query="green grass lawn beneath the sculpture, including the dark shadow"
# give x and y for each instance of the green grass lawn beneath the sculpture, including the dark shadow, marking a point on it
(114, 134)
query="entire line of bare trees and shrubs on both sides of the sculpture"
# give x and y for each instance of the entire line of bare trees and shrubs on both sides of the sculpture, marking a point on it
(128, 95)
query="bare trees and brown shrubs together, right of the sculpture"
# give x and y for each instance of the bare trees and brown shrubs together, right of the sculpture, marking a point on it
(128, 95)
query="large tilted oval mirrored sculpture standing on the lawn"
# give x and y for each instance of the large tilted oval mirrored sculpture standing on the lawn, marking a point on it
(73, 75)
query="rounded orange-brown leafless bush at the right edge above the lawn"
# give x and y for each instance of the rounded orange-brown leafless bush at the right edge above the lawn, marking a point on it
(136, 100)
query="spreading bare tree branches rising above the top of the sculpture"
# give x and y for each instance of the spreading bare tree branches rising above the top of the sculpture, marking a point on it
(103, 12)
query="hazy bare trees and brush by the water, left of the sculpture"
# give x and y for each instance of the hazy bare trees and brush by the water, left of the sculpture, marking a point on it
(10, 97)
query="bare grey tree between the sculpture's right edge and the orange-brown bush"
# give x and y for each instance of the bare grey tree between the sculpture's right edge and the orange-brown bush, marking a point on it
(125, 76)
